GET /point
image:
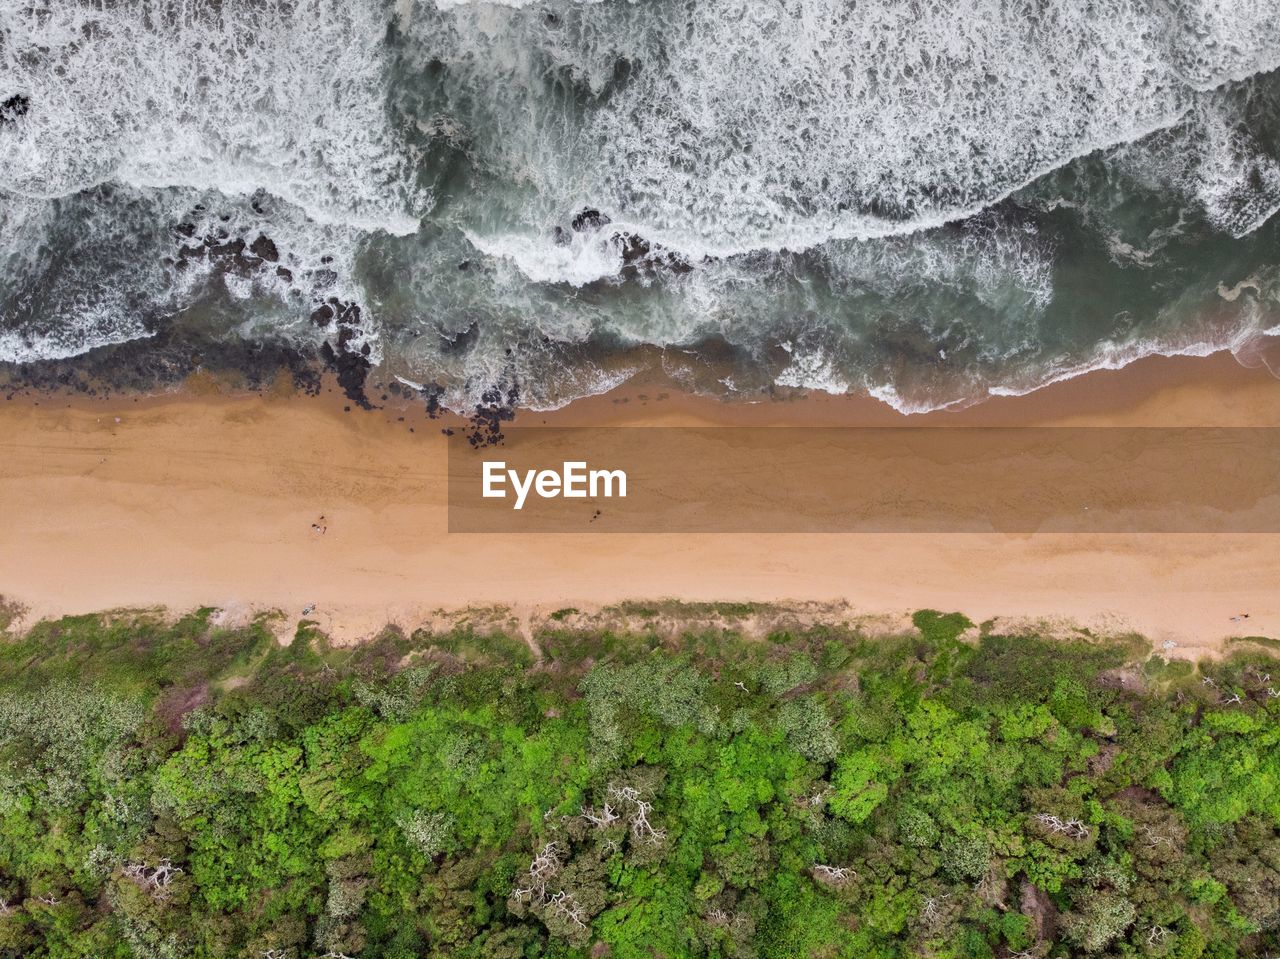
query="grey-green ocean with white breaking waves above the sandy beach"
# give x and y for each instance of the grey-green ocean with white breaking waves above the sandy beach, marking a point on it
(929, 202)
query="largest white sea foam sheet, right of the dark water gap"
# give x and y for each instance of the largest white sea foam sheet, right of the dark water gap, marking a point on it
(738, 126)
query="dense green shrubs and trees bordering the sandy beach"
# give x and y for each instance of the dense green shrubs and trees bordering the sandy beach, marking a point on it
(186, 791)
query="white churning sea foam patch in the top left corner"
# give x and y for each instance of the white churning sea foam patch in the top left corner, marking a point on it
(240, 95)
